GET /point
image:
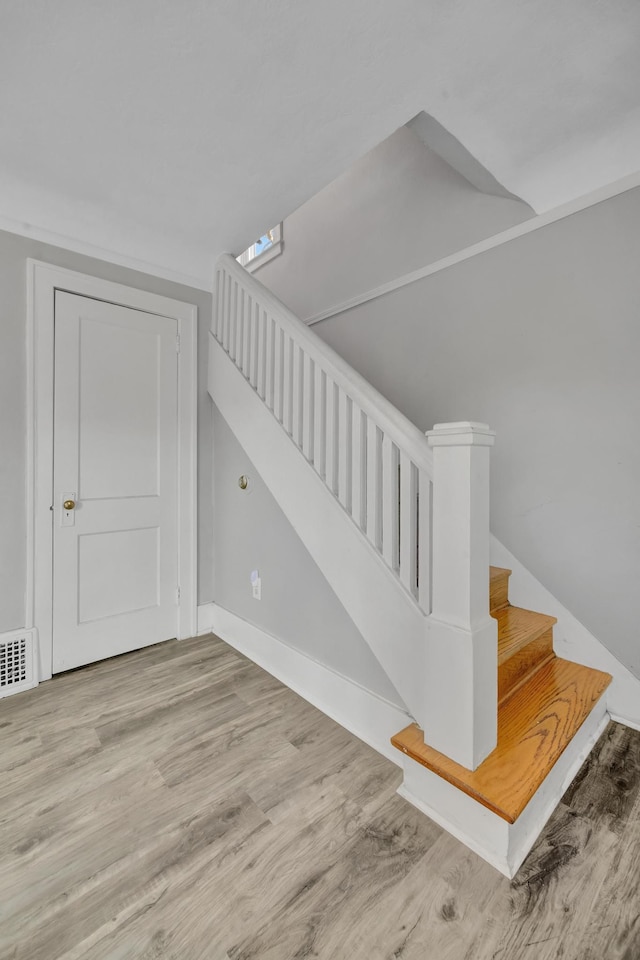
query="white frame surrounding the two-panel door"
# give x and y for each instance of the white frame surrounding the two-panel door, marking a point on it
(43, 279)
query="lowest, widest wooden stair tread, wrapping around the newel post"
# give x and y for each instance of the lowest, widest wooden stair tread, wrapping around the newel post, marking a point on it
(535, 725)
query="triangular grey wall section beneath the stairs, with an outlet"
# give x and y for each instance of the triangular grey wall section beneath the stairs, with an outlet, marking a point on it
(298, 606)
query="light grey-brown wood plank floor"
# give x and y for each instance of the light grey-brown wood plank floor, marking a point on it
(179, 803)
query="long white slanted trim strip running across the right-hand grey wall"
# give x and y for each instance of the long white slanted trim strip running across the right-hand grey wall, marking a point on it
(527, 226)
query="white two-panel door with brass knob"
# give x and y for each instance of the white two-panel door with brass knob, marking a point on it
(115, 555)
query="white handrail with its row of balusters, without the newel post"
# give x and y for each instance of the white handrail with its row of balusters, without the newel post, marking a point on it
(374, 460)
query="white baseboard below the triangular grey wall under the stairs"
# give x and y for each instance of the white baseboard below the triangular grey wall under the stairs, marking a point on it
(363, 713)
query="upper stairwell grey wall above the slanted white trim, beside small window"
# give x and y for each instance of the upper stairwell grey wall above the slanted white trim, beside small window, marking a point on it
(397, 209)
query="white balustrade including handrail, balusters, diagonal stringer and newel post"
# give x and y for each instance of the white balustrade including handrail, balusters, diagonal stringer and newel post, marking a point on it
(422, 503)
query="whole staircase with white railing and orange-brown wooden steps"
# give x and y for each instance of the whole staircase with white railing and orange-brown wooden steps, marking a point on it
(398, 523)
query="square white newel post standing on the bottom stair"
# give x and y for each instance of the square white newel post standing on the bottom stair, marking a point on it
(460, 717)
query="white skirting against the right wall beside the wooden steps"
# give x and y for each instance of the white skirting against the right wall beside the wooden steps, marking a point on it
(572, 640)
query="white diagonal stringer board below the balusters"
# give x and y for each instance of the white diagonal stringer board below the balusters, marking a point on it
(387, 616)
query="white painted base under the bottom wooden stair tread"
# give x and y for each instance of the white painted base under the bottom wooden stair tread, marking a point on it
(503, 845)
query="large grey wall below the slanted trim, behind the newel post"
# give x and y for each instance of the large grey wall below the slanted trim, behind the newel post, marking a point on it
(539, 338)
